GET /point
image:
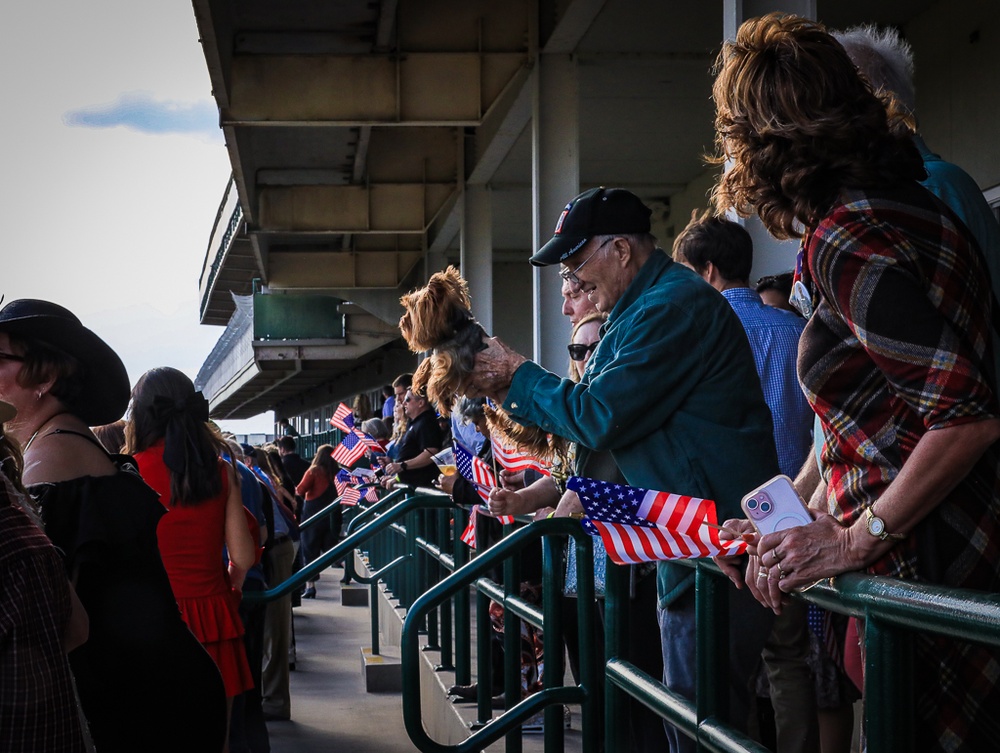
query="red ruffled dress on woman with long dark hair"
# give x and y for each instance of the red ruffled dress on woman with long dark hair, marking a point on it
(191, 539)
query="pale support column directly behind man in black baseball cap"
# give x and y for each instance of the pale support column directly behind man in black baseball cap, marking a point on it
(555, 179)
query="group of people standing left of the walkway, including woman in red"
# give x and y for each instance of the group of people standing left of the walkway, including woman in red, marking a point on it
(125, 547)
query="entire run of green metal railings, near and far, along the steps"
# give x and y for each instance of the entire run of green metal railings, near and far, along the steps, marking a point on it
(420, 528)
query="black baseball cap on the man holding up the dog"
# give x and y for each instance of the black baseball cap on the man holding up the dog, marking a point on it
(599, 211)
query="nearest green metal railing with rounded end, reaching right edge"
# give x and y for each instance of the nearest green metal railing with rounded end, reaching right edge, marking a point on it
(892, 609)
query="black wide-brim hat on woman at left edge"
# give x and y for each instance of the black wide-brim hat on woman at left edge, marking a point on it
(104, 396)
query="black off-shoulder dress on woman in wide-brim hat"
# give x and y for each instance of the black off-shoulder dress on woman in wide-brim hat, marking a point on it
(144, 680)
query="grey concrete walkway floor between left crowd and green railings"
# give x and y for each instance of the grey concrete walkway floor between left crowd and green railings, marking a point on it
(330, 708)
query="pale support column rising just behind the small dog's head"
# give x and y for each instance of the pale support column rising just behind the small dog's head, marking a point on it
(477, 252)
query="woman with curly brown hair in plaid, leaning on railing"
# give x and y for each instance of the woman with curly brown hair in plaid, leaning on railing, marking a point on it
(896, 359)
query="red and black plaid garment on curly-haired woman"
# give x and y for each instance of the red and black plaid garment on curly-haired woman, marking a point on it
(898, 345)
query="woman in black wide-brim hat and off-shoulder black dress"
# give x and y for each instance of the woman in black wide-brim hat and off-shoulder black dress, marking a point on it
(144, 681)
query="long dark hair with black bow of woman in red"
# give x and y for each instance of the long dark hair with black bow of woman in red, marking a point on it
(166, 406)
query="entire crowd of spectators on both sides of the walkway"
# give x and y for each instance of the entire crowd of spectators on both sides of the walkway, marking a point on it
(867, 373)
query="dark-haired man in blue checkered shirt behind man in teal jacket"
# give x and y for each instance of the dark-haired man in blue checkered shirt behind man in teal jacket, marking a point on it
(721, 252)
